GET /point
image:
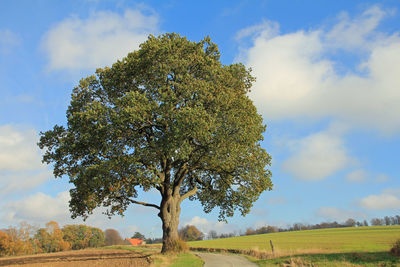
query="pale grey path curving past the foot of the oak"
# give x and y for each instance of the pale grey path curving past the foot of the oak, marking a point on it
(224, 260)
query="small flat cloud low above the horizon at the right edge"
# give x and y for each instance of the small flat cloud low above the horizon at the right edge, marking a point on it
(383, 201)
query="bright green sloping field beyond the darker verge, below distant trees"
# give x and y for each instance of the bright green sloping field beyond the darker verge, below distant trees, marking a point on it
(352, 239)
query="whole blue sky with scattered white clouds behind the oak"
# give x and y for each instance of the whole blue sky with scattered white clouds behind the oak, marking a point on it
(328, 87)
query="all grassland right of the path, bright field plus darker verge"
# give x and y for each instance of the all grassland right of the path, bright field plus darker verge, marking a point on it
(355, 246)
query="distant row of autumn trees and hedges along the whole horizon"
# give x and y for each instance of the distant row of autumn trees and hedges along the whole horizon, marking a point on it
(27, 239)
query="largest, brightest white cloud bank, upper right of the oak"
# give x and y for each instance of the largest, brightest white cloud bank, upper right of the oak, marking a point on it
(297, 72)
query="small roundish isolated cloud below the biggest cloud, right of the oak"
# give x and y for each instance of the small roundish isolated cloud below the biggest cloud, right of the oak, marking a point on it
(317, 156)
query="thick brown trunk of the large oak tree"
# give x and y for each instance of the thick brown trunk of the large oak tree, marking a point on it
(169, 214)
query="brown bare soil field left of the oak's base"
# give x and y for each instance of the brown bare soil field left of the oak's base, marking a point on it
(87, 257)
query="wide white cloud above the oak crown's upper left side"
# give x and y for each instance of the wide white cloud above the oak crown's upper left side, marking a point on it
(97, 41)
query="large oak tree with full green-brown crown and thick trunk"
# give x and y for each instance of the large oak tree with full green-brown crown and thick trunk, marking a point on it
(171, 117)
